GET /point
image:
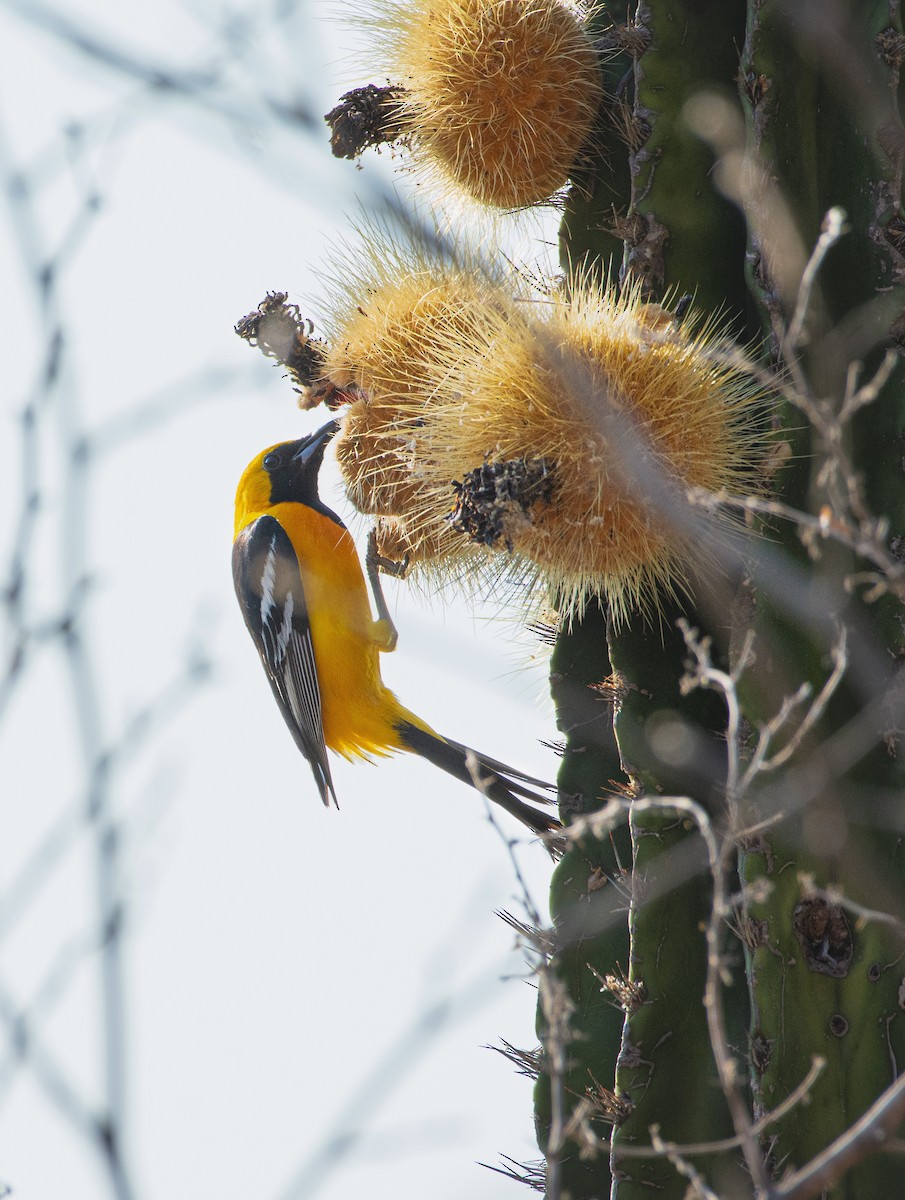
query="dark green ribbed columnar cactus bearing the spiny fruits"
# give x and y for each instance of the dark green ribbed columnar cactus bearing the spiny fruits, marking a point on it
(813, 949)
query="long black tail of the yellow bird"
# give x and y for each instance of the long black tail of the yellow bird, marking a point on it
(499, 783)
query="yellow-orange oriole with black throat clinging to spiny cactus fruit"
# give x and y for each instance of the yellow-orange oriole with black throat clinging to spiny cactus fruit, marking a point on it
(305, 602)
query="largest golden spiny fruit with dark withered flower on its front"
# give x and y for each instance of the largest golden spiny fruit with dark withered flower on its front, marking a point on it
(592, 421)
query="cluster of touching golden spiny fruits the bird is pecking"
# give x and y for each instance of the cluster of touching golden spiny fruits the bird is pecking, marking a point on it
(553, 437)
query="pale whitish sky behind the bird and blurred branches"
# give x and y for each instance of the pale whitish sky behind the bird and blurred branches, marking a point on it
(212, 987)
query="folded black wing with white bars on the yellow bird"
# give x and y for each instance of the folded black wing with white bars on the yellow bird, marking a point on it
(268, 584)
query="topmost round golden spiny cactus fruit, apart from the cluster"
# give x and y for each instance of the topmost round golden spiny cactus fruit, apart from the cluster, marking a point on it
(499, 97)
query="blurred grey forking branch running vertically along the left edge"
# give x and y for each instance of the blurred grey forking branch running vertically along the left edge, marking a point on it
(53, 412)
